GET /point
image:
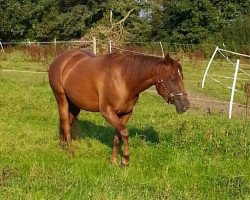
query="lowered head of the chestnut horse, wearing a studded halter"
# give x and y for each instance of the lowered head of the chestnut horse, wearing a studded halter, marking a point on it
(169, 84)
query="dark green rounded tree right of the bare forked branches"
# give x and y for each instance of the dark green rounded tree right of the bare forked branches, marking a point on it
(185, 21)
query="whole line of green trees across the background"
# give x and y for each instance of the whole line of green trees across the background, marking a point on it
(186, 21)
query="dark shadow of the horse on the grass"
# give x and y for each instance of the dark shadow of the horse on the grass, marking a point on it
(105, 134)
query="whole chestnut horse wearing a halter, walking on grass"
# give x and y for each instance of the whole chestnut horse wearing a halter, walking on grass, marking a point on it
(111, 85)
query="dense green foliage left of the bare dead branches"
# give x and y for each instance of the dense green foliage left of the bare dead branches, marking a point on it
(46, 20)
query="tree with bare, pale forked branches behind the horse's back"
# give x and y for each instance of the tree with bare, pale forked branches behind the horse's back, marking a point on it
(121, 22)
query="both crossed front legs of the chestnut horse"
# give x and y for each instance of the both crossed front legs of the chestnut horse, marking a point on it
(119, 124)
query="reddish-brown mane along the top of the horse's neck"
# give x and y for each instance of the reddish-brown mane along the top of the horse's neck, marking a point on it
(134, 65)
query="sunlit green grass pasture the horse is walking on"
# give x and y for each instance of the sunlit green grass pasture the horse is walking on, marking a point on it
(196, 155)
